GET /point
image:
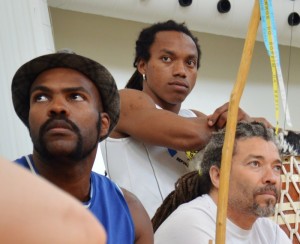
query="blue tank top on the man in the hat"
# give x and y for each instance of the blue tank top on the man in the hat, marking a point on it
(107, 203)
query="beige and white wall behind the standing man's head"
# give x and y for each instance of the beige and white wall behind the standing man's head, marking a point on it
(111, 42)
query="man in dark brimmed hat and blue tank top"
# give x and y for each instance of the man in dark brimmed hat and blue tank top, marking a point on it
(69, 103)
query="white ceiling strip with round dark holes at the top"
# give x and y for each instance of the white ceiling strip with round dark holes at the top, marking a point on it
(201, 15)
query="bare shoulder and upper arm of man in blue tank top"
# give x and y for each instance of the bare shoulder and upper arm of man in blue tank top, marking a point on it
(142, 223)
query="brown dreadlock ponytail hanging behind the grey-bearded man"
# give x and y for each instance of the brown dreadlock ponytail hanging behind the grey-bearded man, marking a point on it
(187, 188)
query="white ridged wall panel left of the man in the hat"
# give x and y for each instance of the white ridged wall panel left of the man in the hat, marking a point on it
(25, 34)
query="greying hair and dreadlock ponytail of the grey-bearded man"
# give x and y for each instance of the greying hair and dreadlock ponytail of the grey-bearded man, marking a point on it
(197, 183)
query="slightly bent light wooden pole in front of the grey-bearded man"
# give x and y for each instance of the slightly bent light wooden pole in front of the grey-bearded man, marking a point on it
(231, 124)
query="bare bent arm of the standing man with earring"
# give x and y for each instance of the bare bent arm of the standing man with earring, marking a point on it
(141, 119)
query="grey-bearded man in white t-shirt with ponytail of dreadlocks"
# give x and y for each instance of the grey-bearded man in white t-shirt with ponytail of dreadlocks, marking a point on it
(188, 214)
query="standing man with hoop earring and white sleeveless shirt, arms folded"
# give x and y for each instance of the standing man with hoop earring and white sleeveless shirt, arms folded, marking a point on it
(146, 152)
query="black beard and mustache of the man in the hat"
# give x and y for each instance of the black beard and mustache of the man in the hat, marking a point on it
(77, 154)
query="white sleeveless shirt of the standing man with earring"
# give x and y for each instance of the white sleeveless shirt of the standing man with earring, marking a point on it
(148, 171)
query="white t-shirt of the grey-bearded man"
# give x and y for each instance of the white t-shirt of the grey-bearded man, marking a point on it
(195, 222)
